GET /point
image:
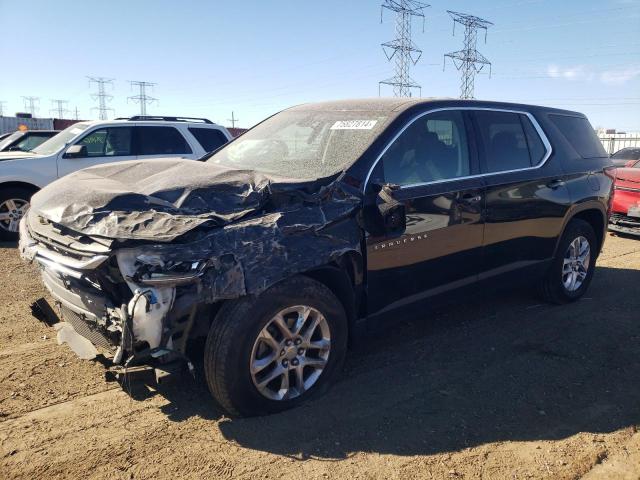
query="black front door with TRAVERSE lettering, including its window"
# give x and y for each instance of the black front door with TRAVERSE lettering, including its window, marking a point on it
(433, 164)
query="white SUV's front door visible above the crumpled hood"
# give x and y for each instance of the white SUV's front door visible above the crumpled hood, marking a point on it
(104, 145)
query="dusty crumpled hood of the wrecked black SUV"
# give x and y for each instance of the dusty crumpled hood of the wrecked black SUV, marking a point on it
(157, 199)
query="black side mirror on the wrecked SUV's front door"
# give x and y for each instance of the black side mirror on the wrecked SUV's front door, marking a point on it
(388, 215)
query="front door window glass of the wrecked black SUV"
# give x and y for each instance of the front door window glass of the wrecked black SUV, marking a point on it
(432, 148)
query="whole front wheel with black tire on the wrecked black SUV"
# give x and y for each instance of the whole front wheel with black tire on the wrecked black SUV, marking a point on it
(232, 348)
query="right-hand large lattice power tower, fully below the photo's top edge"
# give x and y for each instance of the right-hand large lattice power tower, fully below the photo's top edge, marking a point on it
(469, 60)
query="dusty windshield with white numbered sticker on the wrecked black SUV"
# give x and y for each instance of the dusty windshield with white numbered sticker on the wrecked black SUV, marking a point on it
(302, 144)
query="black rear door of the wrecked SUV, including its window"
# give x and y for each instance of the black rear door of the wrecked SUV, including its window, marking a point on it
(526, 197)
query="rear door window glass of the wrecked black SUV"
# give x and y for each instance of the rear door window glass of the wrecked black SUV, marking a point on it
(504, 141)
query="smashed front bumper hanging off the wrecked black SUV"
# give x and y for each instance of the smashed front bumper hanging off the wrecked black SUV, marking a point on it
(132, 321)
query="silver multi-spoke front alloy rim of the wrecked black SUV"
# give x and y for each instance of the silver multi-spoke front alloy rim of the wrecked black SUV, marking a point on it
(290, 353)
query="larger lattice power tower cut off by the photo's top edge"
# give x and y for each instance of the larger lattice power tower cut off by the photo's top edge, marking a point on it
(402, 47)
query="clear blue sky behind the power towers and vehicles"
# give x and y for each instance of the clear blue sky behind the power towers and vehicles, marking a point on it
(257, 57)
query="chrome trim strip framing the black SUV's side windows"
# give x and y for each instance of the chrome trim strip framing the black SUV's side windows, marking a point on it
(534, 122)
